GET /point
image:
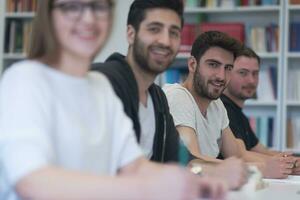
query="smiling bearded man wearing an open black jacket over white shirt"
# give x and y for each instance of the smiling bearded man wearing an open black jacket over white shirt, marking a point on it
(153, 33)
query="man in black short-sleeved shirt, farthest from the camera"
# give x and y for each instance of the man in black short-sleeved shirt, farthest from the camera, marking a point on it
(242, 86)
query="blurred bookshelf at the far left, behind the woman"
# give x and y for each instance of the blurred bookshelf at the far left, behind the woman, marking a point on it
(16, 21)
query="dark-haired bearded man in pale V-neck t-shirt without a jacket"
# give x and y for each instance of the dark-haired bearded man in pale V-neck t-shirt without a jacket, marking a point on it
(199, 115)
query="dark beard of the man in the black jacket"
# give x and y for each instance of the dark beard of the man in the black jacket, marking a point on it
(142, 58)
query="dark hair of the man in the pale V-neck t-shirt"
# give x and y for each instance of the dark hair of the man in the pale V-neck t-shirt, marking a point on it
(210, 39)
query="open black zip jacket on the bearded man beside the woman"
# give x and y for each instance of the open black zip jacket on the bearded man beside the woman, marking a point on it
(165, 146)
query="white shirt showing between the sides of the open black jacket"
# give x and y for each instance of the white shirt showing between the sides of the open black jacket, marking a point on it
(147, 120)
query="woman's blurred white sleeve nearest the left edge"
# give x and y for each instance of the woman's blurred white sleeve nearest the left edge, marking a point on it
(24, 146)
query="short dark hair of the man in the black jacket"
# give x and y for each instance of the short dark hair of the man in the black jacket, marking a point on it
(138, 10)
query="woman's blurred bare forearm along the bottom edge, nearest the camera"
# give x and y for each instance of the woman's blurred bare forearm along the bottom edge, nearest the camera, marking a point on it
(54, 183)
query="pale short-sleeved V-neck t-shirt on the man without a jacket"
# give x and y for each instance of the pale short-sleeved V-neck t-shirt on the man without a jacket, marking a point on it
(185, 112)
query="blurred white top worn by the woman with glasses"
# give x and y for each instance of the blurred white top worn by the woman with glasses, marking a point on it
(51, 118)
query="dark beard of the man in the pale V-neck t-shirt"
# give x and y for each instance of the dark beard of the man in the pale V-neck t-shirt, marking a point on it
(201, 87)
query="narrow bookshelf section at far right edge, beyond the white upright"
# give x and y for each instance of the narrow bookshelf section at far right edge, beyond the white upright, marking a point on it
(291, 85)
